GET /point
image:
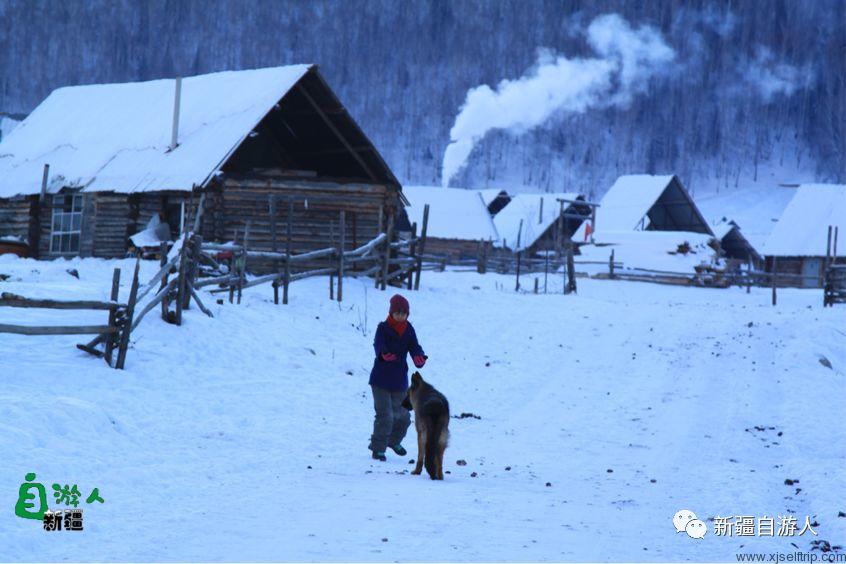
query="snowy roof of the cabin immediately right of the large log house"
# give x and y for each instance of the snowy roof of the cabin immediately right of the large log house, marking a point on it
(454, 213)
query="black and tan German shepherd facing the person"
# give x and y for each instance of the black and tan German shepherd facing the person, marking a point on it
(431, 420)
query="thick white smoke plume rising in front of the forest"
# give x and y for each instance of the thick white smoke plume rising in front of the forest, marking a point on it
(627, 59)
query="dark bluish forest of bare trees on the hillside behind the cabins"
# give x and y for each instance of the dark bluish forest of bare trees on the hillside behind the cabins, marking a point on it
(752, 85)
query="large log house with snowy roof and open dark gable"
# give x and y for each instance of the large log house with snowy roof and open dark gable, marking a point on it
(247, 144)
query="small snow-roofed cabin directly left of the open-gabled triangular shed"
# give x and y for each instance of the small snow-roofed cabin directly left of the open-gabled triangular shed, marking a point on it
(532, 223)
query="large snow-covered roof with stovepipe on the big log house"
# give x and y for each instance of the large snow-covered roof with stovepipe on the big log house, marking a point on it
(116, 136)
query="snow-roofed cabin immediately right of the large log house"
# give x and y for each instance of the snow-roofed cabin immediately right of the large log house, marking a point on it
(459, 221)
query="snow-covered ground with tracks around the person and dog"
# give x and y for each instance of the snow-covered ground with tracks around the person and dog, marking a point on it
(244, 437)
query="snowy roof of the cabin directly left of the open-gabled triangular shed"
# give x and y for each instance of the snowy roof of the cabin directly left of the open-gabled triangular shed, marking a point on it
(527, 207)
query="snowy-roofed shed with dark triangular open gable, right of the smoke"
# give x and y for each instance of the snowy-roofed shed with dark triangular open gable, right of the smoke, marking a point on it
(642, 202)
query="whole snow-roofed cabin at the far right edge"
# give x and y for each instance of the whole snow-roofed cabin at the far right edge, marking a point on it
(798, 242)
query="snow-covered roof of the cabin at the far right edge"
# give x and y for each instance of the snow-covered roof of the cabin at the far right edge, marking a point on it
(802, 230)
